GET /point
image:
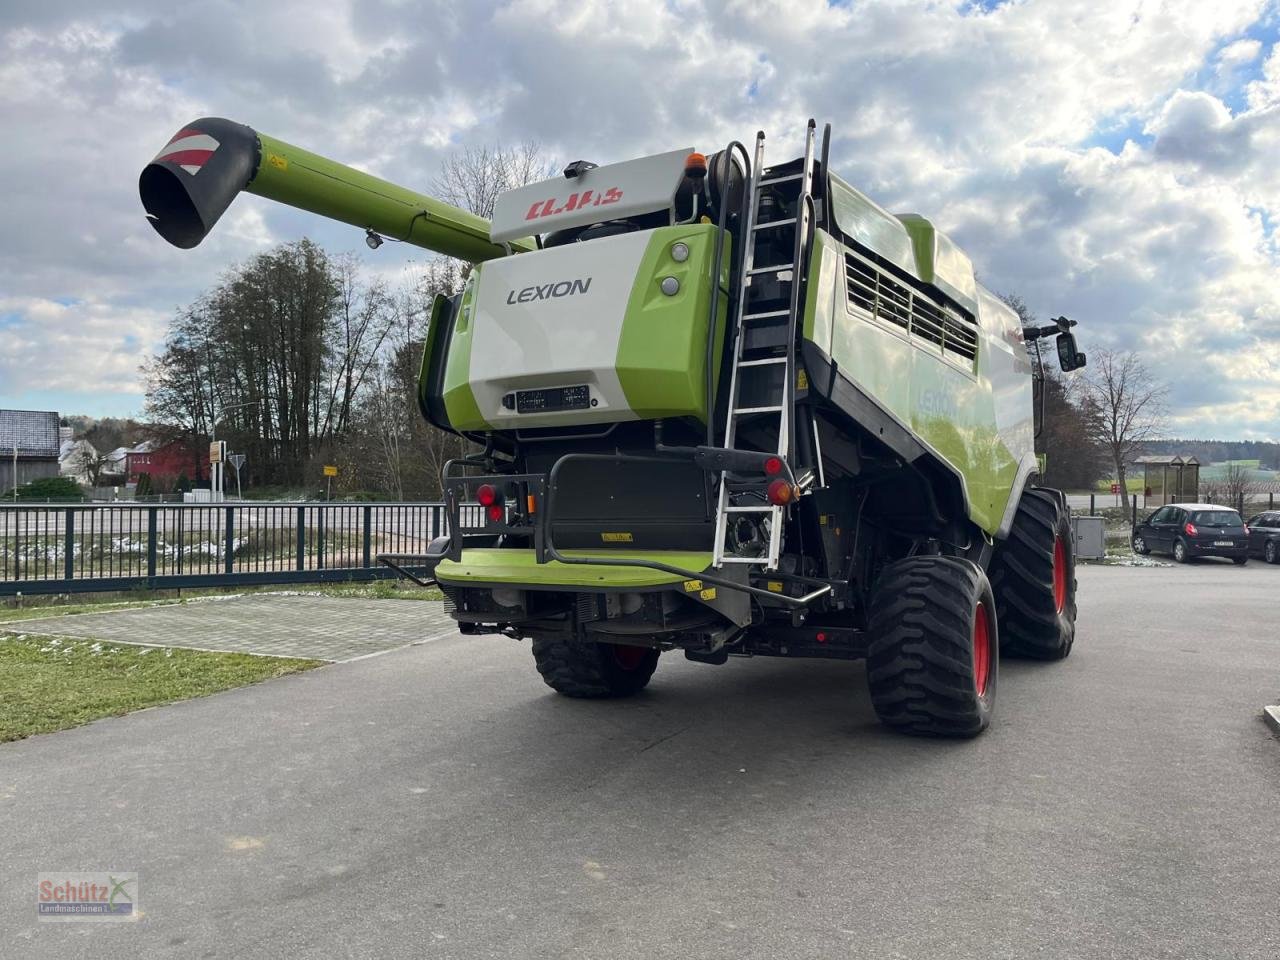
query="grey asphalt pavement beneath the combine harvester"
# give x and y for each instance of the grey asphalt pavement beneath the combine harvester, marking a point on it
(440, 802)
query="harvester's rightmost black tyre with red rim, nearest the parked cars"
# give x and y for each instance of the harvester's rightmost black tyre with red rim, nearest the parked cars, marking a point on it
(1034, 575)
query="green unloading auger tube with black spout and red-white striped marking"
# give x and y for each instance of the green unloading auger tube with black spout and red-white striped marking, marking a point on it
(193, 181)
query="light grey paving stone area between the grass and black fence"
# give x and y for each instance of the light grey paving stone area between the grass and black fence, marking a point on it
(316, 628)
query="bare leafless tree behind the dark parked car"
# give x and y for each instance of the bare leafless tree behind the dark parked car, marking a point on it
(1131, 408)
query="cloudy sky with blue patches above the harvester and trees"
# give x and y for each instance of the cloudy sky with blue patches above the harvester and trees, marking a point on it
(1116, 161)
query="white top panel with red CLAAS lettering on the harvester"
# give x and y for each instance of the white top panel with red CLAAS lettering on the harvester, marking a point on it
(611, 193)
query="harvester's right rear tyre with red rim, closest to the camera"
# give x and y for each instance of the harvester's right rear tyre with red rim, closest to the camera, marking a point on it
(934, 651)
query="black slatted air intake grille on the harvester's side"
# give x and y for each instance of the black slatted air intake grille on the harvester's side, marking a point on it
(875, 292)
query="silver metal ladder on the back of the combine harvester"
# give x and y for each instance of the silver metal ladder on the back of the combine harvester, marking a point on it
(753, 359)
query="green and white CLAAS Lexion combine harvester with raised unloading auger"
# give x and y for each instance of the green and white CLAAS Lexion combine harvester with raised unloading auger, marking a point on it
(721, 406)
